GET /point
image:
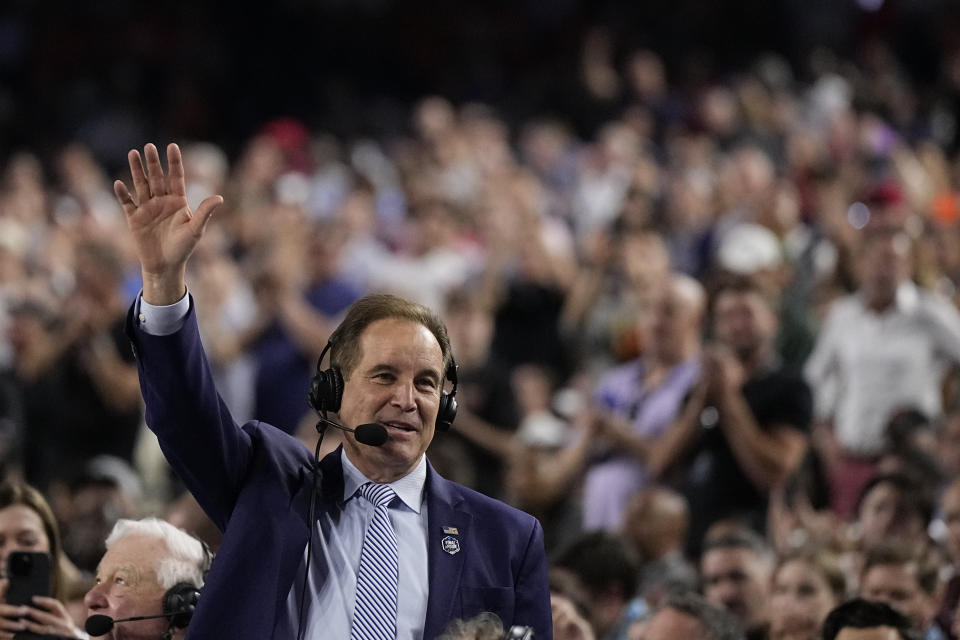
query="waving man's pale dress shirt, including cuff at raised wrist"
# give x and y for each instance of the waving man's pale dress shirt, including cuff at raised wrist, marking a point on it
(337, 542)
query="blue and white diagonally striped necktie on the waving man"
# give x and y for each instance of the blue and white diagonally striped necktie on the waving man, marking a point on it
(375, 611)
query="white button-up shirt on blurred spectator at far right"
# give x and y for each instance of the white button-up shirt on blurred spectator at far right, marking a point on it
(866, 365)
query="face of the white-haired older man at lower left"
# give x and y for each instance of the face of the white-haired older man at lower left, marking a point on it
(127, 586)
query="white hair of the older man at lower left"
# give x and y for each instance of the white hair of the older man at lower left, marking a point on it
(186, 559)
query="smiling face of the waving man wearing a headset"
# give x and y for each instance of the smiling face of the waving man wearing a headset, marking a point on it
(397, 383)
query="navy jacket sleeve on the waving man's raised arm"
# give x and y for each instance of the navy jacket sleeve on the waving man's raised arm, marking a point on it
(197, 434)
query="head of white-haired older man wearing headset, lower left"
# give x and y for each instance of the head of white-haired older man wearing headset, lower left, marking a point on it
(151, 568)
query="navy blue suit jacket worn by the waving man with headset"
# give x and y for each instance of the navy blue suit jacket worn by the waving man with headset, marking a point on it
(254, 482)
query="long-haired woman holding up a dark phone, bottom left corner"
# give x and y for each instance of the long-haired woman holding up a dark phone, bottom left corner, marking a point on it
(27, 524)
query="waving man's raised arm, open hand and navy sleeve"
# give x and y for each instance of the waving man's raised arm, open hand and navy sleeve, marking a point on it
(197, 434)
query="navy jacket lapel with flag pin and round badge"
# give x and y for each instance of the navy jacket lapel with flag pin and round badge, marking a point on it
(448, 543)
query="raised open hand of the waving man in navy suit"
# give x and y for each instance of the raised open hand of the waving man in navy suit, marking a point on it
(165, 230)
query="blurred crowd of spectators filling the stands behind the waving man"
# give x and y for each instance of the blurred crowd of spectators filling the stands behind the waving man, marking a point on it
(713, 348)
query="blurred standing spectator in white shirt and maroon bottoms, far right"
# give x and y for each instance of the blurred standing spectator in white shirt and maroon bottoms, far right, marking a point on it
(879, 349)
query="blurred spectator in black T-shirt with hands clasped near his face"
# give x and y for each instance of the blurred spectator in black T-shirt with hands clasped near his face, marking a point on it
(744, 429)
